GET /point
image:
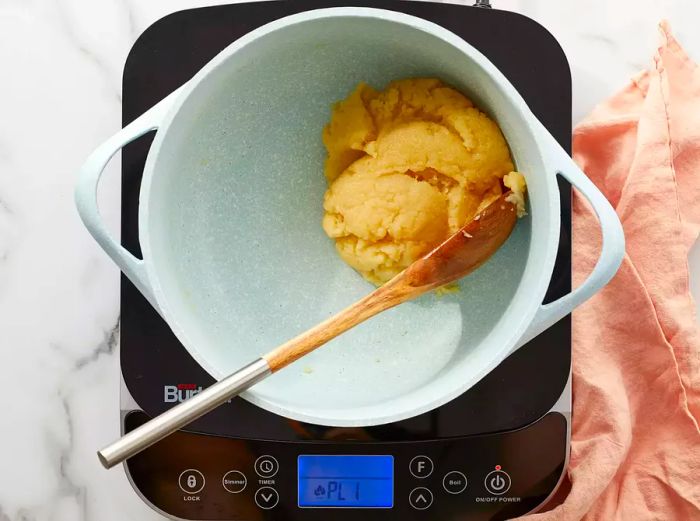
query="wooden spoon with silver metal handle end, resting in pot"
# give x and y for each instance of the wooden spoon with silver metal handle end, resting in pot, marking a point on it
(458, 256)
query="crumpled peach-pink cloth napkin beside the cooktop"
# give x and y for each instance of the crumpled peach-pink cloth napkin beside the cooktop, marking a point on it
(635, 443)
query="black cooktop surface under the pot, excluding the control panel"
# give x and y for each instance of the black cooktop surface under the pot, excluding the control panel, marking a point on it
(157, 369)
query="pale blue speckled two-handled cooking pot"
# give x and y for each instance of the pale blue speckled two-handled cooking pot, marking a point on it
(234, 256)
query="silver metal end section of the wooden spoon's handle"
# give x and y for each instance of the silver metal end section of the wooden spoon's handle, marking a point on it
(173, 419)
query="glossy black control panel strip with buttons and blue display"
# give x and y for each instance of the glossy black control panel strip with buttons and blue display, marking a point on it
(489, 477)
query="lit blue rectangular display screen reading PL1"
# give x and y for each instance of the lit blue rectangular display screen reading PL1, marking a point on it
(346, 481)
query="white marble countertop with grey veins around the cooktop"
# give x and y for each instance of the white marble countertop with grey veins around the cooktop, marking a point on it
(60, 78)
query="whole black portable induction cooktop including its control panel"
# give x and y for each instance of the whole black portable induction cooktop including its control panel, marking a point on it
(496, 452)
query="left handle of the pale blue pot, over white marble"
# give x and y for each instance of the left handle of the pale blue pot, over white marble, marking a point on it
(86, 193)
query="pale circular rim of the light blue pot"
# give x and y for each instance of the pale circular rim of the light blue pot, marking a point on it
(376, 413)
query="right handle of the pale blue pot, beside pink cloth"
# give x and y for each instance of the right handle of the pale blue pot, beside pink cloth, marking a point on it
(611, 254)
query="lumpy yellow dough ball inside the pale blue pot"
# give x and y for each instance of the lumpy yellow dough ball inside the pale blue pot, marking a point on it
(406, 168)
